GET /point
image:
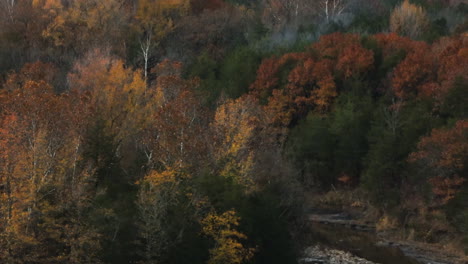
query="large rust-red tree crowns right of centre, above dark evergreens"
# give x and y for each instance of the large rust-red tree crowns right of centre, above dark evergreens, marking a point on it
(311, 81)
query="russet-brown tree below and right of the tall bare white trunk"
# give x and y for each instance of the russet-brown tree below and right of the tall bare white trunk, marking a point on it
(176, 134)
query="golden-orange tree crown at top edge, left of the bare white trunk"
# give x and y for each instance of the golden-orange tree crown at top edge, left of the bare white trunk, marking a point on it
(83, 24)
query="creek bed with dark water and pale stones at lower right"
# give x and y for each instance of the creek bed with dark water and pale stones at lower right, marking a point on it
(338, 238)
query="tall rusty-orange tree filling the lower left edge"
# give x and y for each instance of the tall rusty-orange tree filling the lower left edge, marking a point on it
(46, 163)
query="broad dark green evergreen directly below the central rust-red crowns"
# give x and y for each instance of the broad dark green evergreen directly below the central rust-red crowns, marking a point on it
(326, 148)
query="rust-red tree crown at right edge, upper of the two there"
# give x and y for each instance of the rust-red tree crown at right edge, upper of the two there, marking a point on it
(426, 71)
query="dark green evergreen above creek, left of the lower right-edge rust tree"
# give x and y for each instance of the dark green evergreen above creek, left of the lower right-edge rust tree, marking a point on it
(393, 135)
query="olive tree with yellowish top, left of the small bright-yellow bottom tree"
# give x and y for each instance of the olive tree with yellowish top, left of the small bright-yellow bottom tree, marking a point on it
(163, 212)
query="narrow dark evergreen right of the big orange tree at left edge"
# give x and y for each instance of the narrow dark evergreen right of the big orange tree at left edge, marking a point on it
(114, 213)
